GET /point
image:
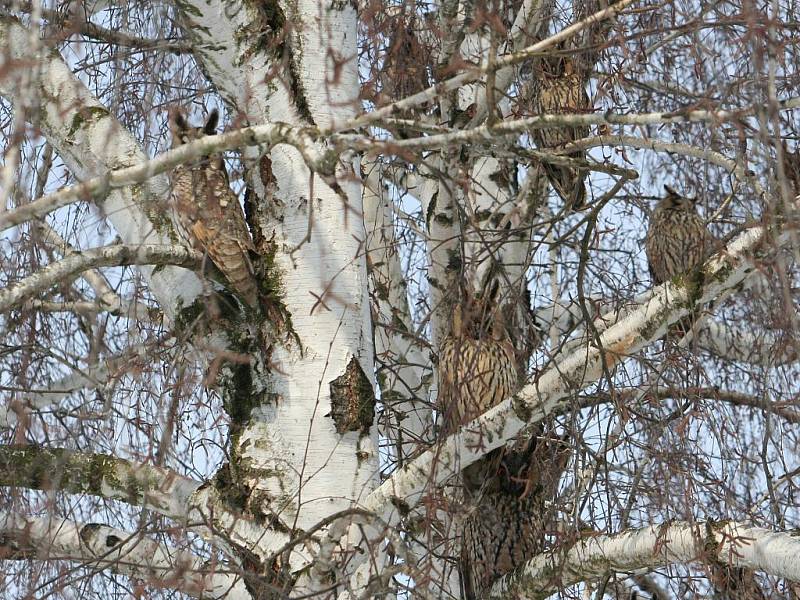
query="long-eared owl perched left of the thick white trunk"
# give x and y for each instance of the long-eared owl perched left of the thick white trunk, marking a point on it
(207, 212)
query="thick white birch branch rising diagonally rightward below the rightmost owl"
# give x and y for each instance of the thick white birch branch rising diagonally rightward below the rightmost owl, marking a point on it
(573, 371)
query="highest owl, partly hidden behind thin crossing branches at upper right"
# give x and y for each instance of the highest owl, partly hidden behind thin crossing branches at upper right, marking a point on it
(559, 89)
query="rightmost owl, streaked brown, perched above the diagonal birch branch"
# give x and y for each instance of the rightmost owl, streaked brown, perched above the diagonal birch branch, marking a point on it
(677, 242)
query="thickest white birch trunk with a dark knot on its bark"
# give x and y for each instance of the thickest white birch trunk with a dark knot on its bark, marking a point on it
(293, 453)
